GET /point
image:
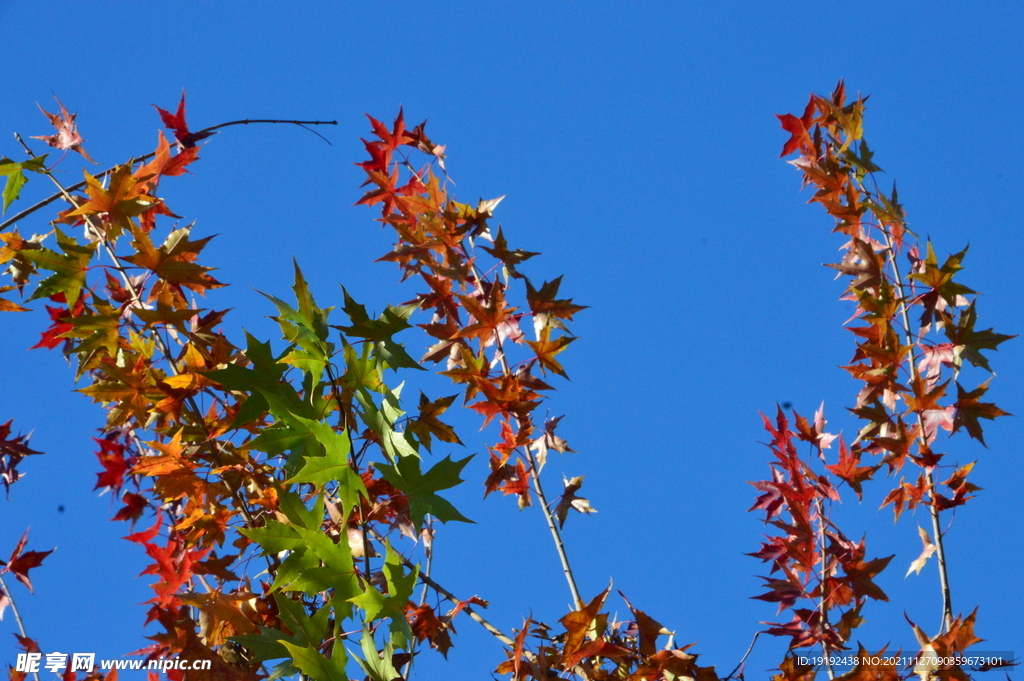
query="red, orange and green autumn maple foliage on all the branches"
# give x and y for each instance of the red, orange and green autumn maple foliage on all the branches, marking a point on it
(227, 453)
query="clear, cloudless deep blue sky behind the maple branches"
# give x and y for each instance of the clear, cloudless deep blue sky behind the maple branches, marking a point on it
(637, 147)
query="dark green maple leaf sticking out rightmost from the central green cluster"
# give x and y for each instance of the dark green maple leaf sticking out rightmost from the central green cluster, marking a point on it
(421, 489)
